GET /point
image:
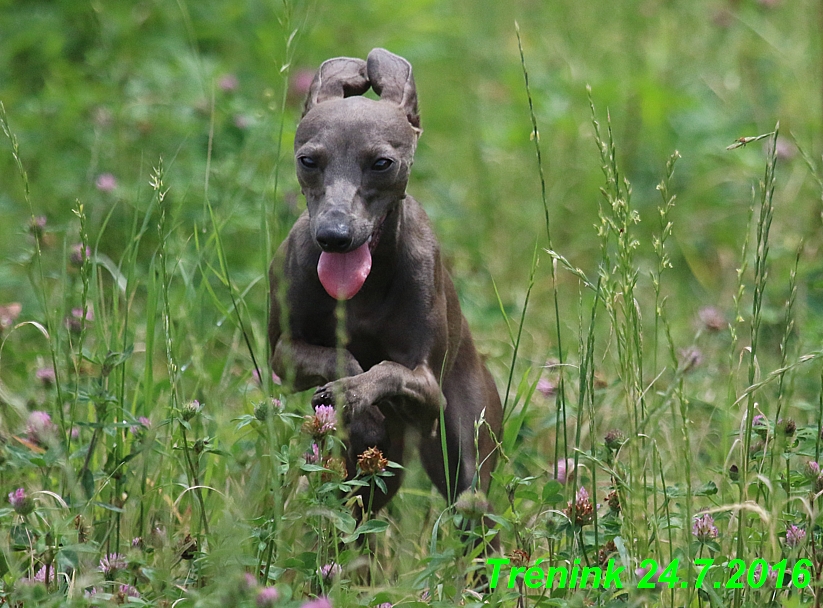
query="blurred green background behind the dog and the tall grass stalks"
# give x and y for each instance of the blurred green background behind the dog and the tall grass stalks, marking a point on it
(109, 87)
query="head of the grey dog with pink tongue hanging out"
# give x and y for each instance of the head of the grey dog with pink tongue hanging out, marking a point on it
(353, 156)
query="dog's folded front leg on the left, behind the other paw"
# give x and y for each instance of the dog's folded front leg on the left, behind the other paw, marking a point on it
(308, 365)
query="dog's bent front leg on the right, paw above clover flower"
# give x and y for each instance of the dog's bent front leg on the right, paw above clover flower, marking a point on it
(386, 380)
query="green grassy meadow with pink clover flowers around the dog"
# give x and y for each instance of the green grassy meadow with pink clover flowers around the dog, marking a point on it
(629, 196)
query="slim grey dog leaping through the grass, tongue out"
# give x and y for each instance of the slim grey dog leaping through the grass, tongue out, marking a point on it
(406, 354)
